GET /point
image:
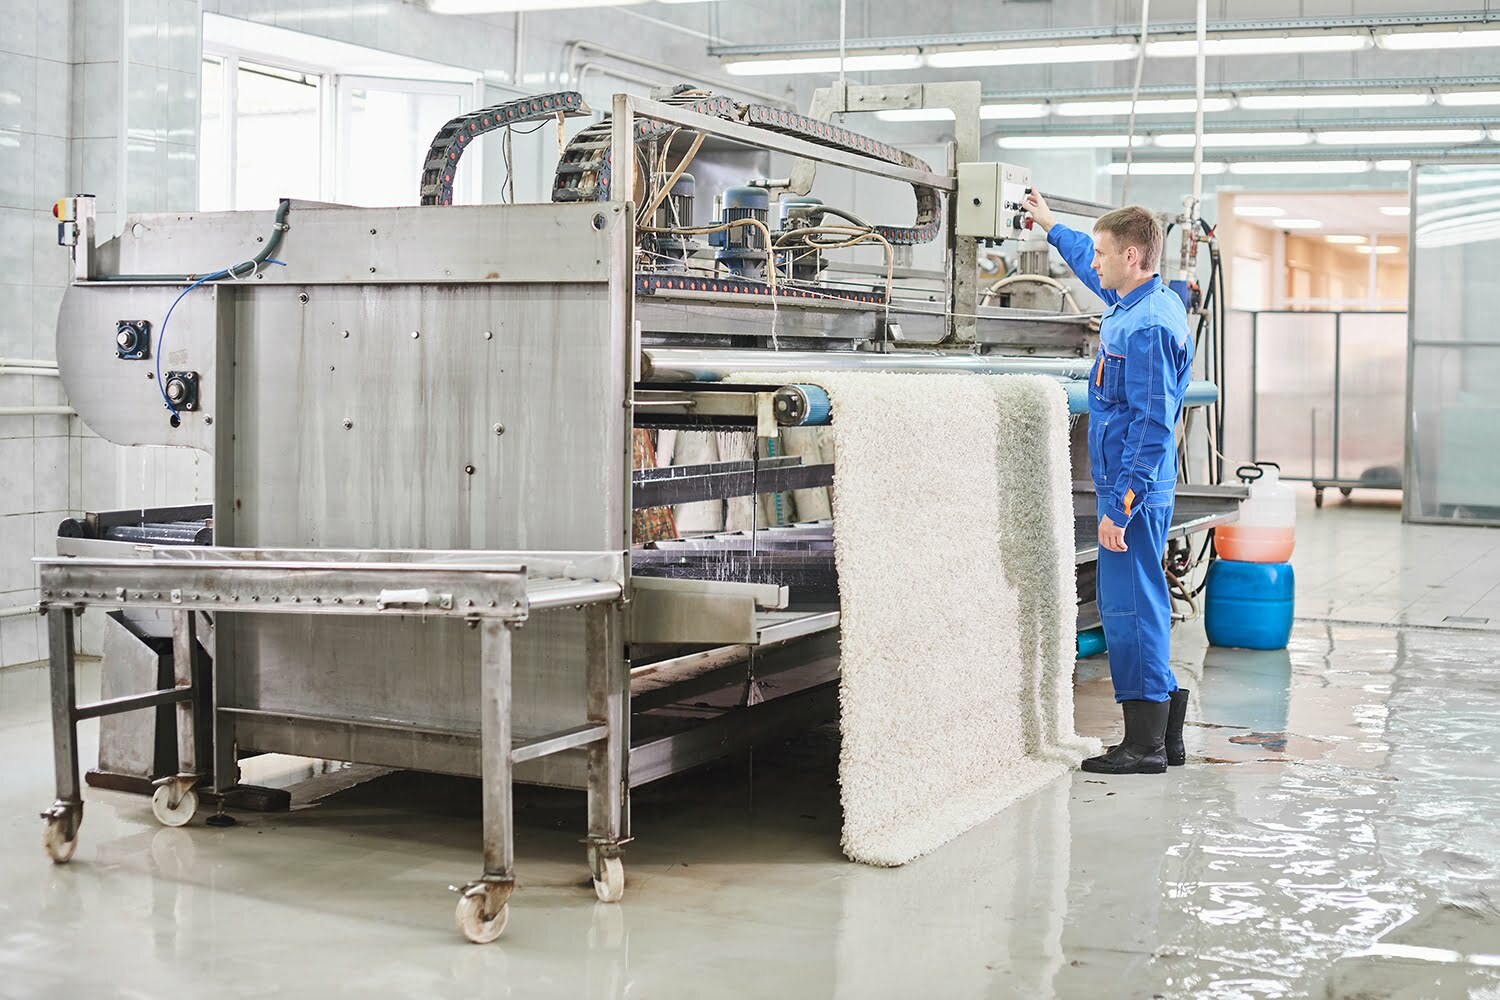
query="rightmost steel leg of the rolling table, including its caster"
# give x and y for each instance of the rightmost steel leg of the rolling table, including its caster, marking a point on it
(608, 678)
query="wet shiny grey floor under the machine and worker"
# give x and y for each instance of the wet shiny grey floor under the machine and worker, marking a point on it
(1336, 834)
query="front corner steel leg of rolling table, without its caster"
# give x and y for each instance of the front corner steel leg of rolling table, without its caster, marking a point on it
(494, 747)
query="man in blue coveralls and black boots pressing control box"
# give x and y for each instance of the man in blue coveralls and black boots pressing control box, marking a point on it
(1135, 404)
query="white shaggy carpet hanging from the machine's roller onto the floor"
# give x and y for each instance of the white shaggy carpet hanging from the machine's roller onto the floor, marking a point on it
(953, 536)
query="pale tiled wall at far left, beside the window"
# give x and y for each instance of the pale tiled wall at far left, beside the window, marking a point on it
(98, 97)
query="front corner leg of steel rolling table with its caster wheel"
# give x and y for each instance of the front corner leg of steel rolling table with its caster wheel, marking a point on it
(485, 905)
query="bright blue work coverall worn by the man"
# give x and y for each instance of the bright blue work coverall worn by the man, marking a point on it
(1136, 394)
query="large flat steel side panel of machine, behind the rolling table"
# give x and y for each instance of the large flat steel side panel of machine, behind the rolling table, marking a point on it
(428, 418)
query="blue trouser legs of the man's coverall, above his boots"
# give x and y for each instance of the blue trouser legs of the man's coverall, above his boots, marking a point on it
(1136, 609)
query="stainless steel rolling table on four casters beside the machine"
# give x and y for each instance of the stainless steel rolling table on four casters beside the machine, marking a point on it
(487, 591)
